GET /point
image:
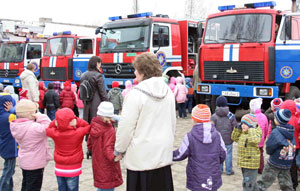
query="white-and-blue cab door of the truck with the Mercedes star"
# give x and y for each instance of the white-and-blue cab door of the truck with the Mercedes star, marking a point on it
(161, 44)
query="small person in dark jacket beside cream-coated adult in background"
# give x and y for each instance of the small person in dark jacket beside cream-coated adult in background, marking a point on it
(51, 101)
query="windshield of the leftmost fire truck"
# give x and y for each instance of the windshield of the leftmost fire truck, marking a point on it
(12, 52)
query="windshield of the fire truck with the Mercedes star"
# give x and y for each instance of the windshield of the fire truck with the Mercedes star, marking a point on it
(129, 38)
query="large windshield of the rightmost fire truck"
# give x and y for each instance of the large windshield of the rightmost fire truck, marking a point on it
(239, 29)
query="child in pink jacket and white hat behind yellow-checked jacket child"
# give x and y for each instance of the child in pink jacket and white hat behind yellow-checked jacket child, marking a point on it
(262, 120)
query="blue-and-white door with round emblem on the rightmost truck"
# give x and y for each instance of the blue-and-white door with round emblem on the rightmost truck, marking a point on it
(287, 57)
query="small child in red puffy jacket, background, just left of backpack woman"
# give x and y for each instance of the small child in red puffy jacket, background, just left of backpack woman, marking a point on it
(67, 97)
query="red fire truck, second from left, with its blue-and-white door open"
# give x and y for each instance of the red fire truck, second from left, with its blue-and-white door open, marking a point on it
(66, 56)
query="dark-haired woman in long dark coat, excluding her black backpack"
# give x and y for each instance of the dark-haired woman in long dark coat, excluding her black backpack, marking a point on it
(95, 78)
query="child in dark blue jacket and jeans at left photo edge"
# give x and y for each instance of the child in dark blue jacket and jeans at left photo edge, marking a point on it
(8, 145)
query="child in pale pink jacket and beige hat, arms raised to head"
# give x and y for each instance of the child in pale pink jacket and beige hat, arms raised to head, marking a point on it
(29, 130)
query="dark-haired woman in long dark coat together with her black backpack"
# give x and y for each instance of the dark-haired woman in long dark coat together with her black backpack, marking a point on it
(97, 90)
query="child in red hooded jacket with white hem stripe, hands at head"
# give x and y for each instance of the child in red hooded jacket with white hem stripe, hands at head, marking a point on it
(67, 132)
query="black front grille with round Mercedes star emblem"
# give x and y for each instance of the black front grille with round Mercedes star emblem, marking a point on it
(111, 70)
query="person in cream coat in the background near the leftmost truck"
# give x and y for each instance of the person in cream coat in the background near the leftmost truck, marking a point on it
(30, 83)
